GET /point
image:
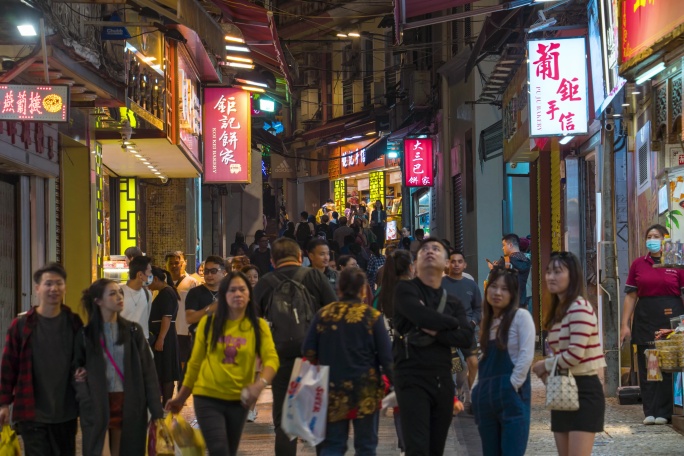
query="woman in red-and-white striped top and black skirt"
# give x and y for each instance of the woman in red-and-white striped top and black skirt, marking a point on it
(573, 338)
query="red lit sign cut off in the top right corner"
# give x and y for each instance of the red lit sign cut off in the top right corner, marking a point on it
(645, 23)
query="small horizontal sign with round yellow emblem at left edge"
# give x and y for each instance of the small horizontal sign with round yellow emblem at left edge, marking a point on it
(37, 103)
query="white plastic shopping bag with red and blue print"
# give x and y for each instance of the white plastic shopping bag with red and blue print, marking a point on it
(306, 405)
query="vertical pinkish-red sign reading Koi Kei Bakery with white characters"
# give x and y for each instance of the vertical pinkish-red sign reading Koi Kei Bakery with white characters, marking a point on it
(227, 142)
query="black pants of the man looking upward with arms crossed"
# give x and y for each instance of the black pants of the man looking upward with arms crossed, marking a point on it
(426, 404)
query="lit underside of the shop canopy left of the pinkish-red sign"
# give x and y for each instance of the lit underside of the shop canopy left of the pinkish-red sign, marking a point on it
(162, 155)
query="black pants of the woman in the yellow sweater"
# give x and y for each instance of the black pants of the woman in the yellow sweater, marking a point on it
(221, 423)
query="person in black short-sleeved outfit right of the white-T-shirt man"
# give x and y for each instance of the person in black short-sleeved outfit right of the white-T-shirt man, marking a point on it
(163, 337)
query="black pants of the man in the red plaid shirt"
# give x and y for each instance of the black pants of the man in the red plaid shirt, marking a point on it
(41, 439)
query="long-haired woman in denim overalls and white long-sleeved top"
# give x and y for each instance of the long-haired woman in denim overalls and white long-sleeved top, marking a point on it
(501, 398)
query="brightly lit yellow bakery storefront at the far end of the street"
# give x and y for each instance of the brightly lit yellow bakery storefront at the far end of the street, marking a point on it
(355, 183)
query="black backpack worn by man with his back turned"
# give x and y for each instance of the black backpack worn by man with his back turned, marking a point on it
(289, 310)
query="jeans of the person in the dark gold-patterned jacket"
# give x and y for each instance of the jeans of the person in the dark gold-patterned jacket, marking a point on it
(365, 437)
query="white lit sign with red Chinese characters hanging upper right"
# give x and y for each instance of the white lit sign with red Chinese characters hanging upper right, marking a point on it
(558, 87)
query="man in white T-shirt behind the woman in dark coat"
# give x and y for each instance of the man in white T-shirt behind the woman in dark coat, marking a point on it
(137, 299)
